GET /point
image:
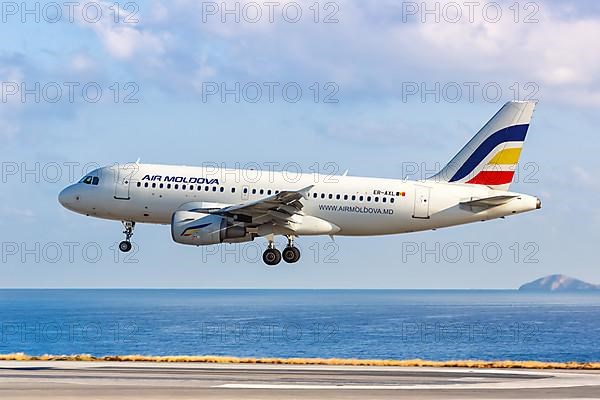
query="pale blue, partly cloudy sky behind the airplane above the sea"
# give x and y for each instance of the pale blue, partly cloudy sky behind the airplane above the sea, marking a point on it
(384, 65)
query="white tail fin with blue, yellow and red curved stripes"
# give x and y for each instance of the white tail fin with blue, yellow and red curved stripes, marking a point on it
(491, 157)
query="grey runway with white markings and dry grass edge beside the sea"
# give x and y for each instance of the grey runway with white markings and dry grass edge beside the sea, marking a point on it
(113, 380)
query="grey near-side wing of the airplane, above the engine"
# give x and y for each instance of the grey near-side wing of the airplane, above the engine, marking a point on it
(278, 209)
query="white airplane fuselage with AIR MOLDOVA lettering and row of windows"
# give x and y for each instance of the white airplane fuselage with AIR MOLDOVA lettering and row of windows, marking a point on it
(356, 206)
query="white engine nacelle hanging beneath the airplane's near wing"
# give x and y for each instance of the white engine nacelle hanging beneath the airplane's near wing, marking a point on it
(205, 229)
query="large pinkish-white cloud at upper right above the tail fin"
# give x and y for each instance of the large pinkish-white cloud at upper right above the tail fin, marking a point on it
(556, 53)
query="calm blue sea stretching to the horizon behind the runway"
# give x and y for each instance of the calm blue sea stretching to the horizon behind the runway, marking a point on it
(360, 324)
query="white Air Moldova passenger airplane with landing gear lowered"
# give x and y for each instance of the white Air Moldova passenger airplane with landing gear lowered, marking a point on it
(208, 206)
